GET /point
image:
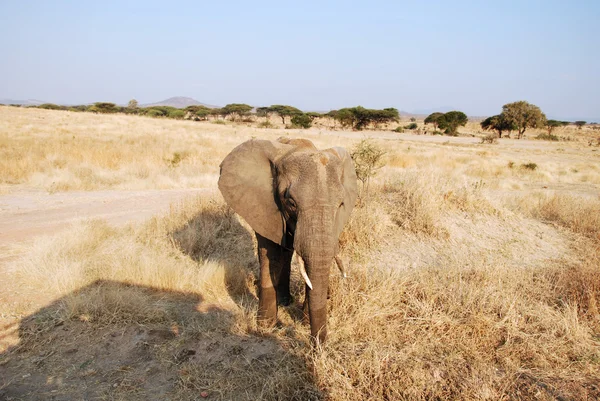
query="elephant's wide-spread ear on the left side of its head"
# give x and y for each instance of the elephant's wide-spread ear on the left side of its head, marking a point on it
(246, 182)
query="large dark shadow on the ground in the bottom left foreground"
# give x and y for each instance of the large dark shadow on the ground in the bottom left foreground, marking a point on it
(111, 340)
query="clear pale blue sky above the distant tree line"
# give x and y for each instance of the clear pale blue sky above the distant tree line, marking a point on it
(474, 56)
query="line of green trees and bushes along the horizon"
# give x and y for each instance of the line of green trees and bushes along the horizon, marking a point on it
(517, 116)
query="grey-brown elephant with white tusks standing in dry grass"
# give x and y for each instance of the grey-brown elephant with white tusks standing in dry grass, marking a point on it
(297, 199)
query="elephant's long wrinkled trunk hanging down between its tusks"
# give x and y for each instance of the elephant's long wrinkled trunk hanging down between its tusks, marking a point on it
(315, 245)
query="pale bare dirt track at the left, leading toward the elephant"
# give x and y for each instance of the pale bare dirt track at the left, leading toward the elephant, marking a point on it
(28, 213)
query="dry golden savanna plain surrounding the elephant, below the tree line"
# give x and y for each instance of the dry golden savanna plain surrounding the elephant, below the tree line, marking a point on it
(474, 269)
